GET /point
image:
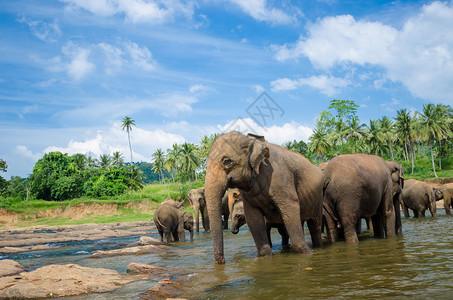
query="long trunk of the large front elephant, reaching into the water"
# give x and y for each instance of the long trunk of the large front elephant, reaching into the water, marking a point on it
(215, 188)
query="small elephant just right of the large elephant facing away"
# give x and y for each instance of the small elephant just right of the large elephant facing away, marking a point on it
(419, 196)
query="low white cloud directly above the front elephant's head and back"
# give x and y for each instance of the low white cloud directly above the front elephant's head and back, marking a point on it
(274, 134)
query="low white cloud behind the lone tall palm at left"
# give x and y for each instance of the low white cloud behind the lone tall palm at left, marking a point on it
(144, 143)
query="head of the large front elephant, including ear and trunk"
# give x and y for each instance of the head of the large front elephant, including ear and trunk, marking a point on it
(233, 162)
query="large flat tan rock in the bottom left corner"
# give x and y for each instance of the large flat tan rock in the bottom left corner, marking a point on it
(61, 281)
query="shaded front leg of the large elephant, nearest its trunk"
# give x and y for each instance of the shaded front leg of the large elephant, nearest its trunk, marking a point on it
(257, 227)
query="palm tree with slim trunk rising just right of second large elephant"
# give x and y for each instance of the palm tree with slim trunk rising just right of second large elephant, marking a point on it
(405, 126)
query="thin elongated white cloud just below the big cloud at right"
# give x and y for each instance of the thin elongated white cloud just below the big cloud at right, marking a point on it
(327, 85)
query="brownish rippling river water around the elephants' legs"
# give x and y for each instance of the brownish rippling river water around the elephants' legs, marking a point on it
(418, 264)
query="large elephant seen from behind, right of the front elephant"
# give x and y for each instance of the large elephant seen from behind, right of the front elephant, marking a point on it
(361, 186)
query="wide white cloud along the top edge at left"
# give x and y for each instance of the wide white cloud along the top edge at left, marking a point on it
(136, 11)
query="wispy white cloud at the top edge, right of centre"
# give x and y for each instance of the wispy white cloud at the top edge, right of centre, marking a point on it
(260, 10)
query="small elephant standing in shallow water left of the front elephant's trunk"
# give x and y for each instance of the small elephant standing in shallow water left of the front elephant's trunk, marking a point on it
(172, 221)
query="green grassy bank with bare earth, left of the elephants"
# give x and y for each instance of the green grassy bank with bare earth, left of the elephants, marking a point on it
(129, 207)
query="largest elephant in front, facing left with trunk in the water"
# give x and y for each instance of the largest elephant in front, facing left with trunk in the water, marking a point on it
(276, 183)
